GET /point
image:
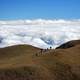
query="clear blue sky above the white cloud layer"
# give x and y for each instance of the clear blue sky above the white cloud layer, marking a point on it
(45, 9)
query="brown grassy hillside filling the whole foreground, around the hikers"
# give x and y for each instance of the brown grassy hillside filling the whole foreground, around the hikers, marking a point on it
(21, 63)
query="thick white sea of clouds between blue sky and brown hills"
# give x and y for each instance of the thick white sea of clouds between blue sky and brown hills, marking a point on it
(39, 33)
